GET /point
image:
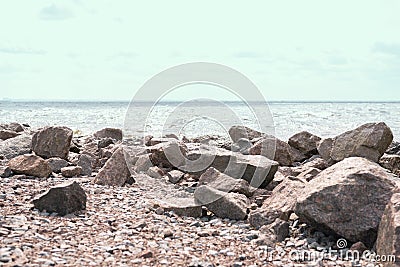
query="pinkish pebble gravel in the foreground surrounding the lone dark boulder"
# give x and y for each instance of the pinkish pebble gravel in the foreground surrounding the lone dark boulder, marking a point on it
(122, 227)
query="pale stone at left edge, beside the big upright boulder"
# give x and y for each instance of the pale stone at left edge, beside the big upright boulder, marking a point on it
(16, 146)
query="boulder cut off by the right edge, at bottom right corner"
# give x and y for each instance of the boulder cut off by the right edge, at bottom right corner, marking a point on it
(388, 240)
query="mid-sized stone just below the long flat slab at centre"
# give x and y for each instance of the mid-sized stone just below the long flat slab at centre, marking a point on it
(220, 181)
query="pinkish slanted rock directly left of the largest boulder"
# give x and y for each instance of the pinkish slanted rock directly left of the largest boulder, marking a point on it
(281, 204)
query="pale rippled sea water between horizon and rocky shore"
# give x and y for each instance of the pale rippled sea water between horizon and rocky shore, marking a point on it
(198, 118)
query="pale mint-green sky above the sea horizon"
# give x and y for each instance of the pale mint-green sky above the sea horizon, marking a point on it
(291, 50)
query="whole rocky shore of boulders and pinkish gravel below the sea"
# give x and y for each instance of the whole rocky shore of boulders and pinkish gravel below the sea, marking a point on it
(252, 200)
